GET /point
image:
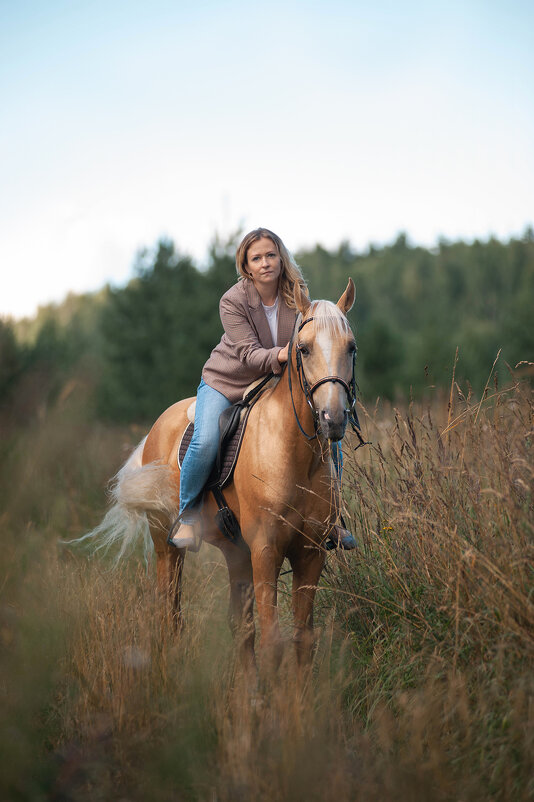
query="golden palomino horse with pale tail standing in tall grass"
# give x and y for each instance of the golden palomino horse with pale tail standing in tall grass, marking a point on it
(284, 490)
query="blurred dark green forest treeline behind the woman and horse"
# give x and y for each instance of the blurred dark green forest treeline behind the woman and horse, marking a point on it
(138, 348)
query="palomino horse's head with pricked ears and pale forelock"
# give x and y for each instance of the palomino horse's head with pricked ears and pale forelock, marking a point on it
(325, 350)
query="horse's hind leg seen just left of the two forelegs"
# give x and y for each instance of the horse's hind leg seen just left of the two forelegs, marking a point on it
(241, 613)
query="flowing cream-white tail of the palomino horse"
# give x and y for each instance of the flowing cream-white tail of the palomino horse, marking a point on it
(137, 492)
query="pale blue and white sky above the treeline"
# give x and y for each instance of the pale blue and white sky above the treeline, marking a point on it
(124, 122)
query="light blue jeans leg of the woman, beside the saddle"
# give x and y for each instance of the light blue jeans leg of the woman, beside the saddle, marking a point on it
(202, 451)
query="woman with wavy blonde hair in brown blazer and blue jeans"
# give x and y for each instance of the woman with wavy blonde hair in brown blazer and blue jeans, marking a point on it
(258, 316)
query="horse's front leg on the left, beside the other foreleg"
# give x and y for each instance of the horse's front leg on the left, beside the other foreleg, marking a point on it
(266, 563)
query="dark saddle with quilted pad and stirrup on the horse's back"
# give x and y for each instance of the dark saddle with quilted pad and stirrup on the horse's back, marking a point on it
(232, 424)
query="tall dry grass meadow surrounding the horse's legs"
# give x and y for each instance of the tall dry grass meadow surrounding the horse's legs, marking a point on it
(422, 683)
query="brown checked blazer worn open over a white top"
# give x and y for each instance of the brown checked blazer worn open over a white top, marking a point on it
(246, 350)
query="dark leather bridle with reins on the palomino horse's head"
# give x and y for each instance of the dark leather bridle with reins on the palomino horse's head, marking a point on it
(308, 390)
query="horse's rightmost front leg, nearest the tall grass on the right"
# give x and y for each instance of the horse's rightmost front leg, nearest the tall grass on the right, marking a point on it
(307, 564)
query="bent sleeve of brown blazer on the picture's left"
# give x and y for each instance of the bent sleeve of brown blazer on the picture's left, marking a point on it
(244, 339)
